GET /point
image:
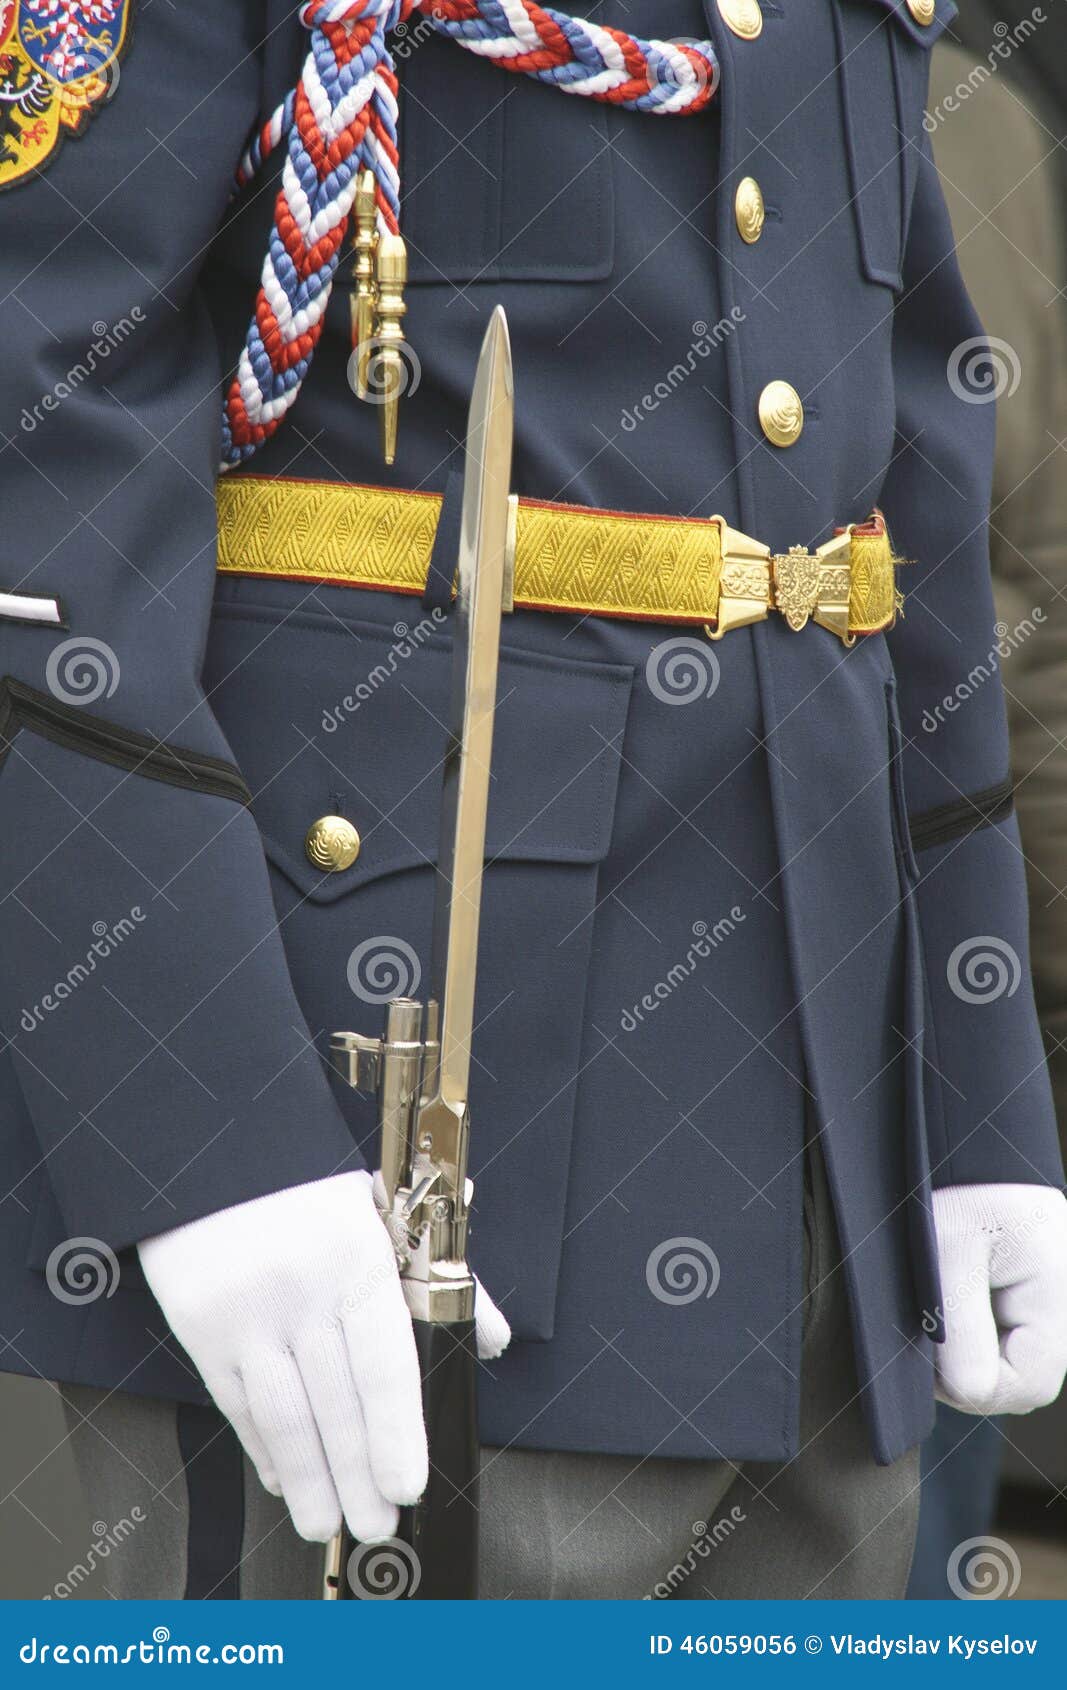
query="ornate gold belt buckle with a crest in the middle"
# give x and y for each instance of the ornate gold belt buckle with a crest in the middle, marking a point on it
(804, 586)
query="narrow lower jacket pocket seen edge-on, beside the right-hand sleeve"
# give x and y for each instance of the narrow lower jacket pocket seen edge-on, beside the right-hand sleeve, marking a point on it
(916, 1020)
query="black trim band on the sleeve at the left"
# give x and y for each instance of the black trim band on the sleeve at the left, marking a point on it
(75, 729)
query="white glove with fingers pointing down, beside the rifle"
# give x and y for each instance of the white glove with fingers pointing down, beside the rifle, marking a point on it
(293, 1312)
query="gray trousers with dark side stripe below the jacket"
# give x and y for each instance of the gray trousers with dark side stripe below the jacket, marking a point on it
(828, 1524)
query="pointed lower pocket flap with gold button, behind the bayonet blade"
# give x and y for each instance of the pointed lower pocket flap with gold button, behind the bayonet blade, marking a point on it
(351, 719)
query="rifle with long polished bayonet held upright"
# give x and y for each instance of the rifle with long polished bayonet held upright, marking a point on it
(420, 1067)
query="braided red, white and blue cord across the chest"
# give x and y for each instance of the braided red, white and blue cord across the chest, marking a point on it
(342, 119)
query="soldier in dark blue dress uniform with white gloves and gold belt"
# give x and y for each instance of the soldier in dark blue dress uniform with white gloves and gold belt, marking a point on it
(765, 1153)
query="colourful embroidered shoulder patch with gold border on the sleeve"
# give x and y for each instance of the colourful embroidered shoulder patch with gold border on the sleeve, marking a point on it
(58, 68)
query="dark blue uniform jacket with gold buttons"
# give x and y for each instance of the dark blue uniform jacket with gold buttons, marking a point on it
(709, 927)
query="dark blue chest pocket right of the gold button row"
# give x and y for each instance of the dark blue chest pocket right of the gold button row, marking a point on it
(885, 65)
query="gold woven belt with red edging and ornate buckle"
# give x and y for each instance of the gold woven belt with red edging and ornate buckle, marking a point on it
(571, 559)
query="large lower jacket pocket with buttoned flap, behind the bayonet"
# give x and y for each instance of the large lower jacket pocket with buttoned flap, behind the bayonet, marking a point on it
(349, 717)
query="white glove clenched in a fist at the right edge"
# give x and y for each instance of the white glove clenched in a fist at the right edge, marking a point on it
(1004, 1265)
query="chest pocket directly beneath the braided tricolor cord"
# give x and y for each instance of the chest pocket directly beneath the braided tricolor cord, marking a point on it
(486, 195)
